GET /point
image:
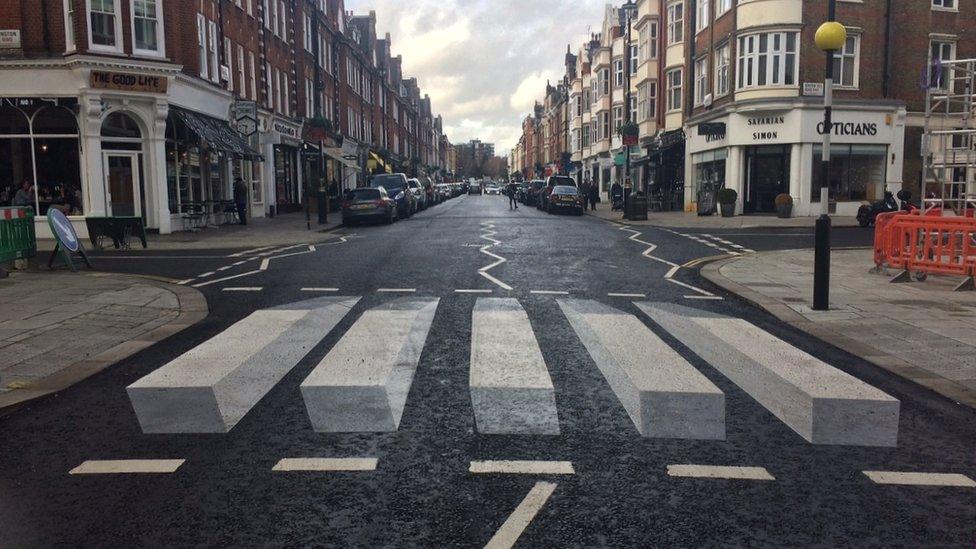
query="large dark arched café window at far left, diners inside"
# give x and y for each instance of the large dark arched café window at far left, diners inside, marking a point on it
(39, 159)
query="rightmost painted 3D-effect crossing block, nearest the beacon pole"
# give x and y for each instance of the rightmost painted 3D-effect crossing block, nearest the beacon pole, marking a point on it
(821, 403)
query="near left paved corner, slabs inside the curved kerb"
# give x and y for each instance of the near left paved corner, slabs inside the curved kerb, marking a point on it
(57, 329)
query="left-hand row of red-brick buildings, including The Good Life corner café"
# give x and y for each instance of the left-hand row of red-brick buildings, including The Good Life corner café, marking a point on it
(152, 109)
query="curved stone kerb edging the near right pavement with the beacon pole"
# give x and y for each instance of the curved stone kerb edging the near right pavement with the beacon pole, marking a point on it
(891, 363)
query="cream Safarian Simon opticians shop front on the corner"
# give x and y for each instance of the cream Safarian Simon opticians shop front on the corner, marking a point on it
(762, 153)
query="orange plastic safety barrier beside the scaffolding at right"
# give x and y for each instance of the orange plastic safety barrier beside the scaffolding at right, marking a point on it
(928, 244)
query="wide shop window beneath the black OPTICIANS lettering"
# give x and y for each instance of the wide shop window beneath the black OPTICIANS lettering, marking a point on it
(857, 172)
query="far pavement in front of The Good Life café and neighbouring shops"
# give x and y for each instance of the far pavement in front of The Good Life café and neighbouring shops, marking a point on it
(283, 230)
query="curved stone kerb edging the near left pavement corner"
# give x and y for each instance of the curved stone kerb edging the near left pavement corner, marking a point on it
(193, 309)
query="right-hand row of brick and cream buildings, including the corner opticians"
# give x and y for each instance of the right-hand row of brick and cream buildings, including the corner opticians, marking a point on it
(728, 93)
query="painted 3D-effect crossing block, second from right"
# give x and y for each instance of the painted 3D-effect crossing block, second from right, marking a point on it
(664, 395)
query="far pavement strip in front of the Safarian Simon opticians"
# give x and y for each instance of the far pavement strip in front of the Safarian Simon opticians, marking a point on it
(686, 220)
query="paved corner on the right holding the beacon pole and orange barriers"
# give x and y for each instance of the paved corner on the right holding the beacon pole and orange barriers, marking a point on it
(924, 331)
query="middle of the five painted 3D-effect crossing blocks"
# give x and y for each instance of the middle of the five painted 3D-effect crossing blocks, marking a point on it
(511, 391)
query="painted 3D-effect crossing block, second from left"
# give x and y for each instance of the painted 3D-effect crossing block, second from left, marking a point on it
(362, 383)
